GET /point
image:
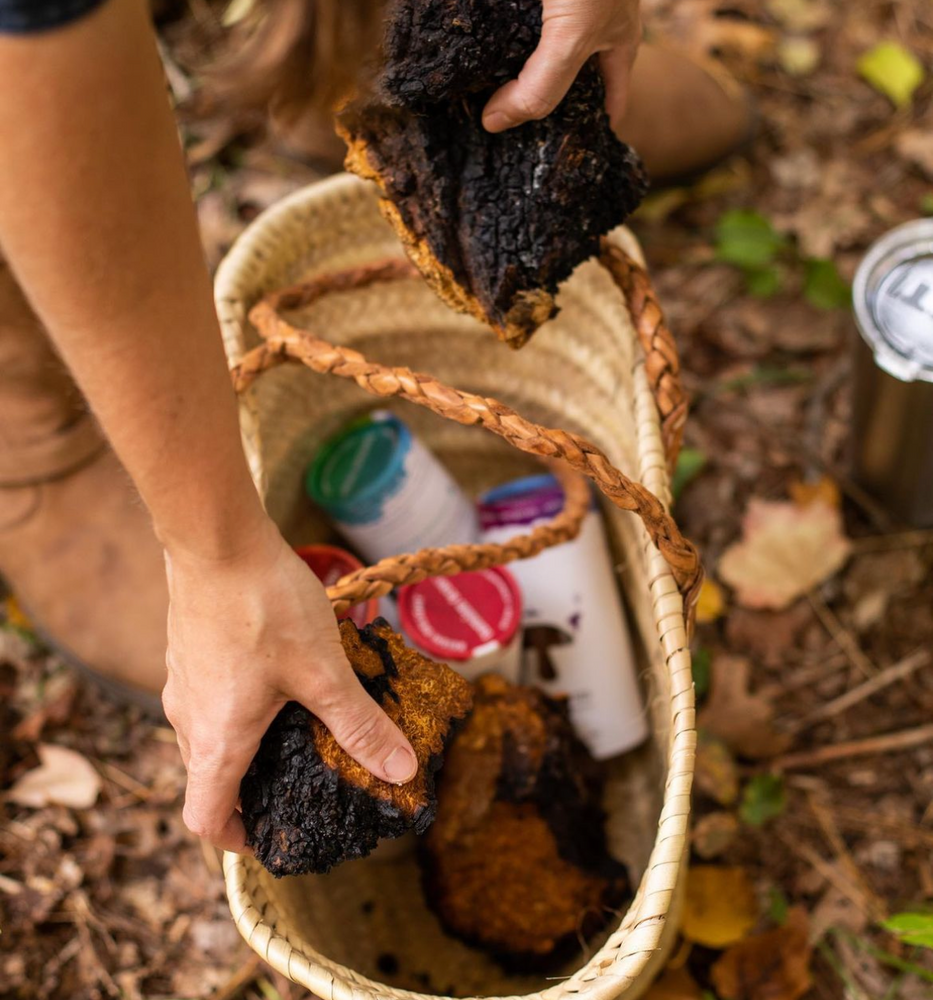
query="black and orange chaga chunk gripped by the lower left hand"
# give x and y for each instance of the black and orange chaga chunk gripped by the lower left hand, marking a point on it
(307, 805)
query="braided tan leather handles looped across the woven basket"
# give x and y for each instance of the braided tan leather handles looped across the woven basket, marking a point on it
(285, 343)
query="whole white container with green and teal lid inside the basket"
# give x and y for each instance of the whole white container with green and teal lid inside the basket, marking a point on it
(386, 492)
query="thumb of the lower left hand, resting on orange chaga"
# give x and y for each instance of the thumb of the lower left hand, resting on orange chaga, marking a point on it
(361, 727)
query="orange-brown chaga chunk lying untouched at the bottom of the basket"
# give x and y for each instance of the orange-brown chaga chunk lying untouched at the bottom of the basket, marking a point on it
(516, 861)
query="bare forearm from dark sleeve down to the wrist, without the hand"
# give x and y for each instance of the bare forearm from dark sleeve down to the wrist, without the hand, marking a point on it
(97, 221)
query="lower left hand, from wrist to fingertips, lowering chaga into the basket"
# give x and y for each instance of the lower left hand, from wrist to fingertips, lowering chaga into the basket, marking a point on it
(245, 635)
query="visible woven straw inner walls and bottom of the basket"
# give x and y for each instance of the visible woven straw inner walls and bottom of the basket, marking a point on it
(576, 374)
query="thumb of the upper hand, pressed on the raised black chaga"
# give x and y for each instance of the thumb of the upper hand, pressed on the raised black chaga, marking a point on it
(544, 80)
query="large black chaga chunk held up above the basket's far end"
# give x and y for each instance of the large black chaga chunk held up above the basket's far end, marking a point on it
(494, 222)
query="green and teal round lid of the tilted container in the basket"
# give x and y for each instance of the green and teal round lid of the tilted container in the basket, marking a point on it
(359, 466)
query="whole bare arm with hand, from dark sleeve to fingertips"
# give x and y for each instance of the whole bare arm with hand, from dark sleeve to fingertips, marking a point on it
(97, 222)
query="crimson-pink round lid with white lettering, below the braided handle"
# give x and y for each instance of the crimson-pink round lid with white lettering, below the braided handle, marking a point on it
(460, 617)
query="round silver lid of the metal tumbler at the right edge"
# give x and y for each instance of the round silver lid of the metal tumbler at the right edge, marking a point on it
(893, 299)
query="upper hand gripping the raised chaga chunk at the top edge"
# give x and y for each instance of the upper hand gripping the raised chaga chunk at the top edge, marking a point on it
(572, 30)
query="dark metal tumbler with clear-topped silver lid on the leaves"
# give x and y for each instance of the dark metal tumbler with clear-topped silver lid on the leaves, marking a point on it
(893, 444)
